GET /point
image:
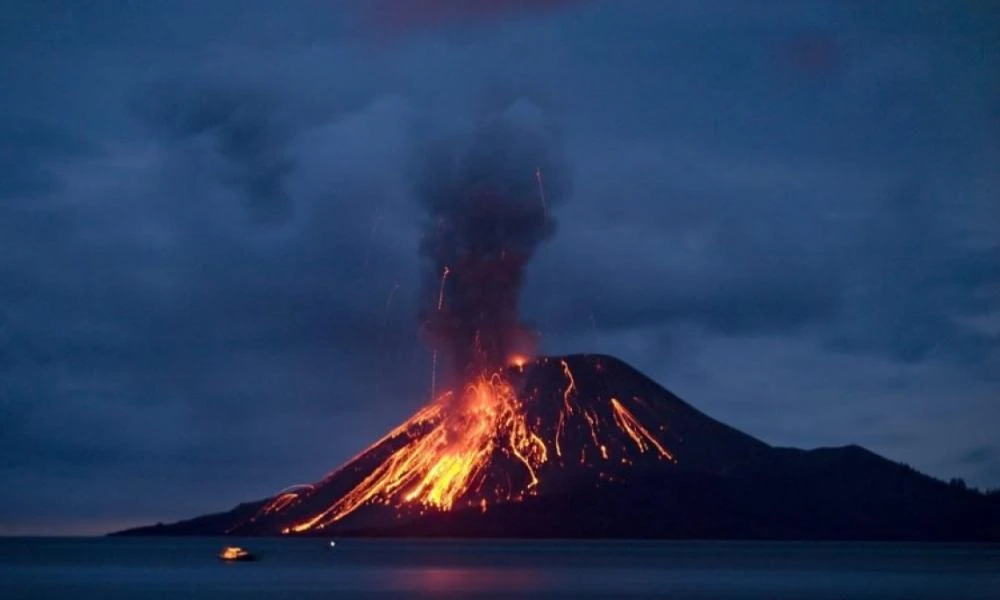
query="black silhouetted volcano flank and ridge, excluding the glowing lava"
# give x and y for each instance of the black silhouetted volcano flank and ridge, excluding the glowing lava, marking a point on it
(723, 484)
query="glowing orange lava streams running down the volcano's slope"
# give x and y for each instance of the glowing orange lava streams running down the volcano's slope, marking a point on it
(443, 456)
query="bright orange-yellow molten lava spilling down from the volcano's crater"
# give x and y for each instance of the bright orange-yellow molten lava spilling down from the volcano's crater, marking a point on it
(487, 446)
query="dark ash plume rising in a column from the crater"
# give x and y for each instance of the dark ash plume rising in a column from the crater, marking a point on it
(488, 199)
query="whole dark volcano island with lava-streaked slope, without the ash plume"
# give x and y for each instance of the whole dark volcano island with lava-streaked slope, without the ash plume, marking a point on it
(587, 446)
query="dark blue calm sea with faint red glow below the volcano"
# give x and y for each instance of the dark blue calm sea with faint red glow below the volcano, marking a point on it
(111, 568)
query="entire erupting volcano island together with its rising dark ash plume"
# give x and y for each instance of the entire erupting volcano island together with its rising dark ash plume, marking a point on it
(571, 446)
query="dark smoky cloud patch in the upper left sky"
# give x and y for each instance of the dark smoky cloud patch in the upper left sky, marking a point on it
(240, 126)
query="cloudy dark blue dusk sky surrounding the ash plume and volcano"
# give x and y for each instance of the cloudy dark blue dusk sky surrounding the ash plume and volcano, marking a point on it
(785, 213)
